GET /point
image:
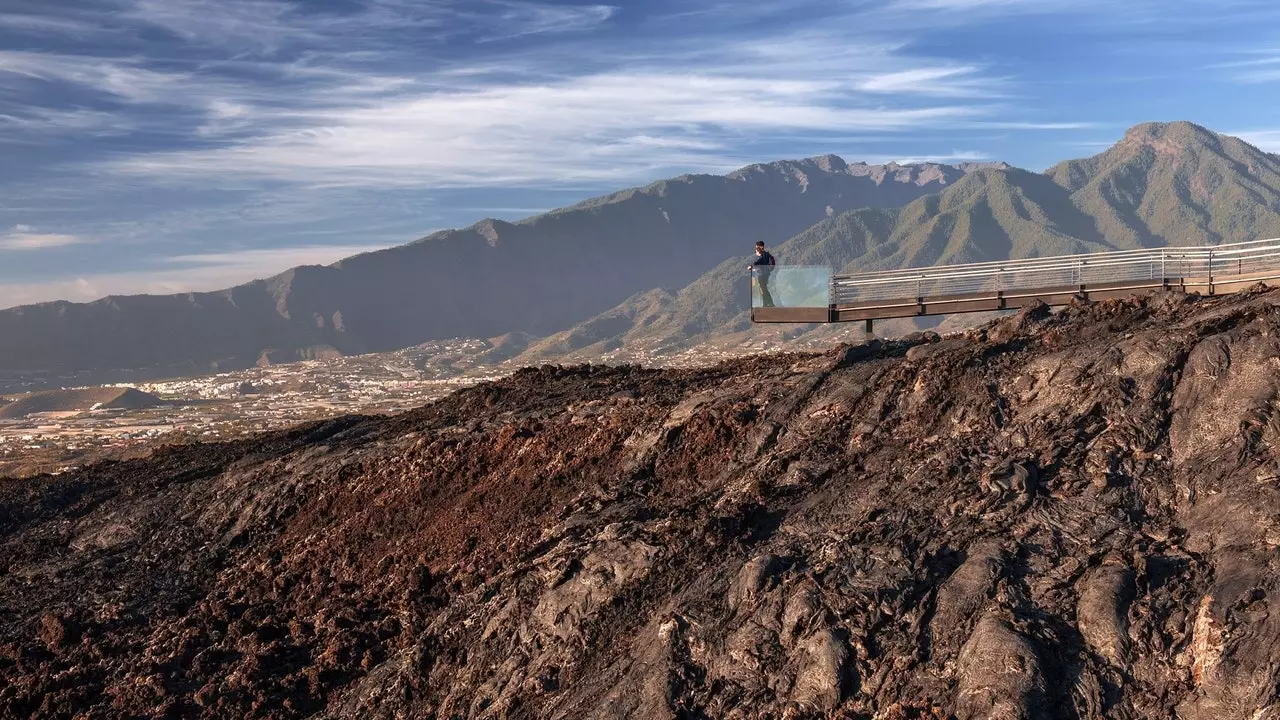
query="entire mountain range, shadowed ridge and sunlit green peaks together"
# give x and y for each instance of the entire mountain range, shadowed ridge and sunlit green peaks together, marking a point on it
(660, 267)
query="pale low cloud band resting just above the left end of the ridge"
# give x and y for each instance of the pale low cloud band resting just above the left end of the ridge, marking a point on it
(185, 274)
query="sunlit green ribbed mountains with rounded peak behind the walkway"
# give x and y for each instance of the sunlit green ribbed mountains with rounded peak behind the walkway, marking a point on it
(1163, 185)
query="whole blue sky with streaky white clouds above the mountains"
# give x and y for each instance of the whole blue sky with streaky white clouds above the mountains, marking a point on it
(175, 145)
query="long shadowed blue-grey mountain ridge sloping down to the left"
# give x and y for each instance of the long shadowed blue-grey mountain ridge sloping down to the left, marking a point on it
(536, 276)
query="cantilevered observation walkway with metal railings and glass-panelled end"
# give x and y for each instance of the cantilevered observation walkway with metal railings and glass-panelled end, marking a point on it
(815, 295)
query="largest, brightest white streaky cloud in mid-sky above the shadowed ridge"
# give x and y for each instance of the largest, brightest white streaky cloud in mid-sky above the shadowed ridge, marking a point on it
(595, 129)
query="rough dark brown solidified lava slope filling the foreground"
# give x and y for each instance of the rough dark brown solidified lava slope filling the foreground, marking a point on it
(1062, 516)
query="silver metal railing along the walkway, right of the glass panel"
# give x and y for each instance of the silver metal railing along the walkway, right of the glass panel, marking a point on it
(1145, 268)
